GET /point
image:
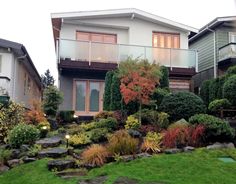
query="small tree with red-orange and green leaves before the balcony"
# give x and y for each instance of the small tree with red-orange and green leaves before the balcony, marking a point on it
(138, 79)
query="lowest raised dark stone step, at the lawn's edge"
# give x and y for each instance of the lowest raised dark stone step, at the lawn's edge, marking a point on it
(61, 165)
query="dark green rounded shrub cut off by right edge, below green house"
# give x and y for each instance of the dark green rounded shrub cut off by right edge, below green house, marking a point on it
(229, 89)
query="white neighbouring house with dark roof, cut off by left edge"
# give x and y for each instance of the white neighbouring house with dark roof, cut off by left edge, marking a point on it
(19, 78)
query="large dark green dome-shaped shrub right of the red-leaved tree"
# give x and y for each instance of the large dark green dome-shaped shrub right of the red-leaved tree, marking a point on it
(182, 105)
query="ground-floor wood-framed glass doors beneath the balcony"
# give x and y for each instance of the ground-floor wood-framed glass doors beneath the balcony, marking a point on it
(88, 96)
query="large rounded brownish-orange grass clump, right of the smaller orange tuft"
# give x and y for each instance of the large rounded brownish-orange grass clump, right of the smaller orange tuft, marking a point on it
(122, 143)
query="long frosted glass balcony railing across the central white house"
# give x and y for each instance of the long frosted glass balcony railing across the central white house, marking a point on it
(116, 53)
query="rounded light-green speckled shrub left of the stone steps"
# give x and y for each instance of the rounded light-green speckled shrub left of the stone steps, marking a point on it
(23, 134)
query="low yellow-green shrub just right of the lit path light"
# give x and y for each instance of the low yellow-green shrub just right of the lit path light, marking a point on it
(81, 139)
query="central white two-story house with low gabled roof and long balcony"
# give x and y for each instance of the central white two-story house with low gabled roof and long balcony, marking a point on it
(90, 43)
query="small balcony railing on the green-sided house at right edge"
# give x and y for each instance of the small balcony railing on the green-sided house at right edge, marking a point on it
(228, 51)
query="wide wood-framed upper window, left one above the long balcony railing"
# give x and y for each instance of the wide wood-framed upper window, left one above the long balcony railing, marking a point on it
(96, 37)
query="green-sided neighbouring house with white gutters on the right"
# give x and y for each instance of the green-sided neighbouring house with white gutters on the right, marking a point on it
(216, 46)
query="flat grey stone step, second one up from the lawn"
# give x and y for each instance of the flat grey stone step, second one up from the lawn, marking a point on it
(53, 152)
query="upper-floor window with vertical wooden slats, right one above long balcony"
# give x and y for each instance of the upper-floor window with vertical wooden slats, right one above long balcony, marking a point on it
(166, 40)
